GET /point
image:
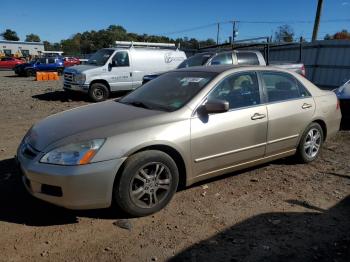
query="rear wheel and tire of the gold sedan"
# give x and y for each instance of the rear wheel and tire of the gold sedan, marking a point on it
(310, 143)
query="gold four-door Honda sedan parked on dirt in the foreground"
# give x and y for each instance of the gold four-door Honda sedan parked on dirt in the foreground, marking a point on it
(180, 128)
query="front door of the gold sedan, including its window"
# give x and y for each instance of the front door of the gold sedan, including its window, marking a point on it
(227, 139)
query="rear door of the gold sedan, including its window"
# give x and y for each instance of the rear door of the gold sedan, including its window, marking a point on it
(290, 108)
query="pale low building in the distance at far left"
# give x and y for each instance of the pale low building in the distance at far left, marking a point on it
(20, 48)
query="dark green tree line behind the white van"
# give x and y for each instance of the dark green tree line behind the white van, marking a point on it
(90, 41)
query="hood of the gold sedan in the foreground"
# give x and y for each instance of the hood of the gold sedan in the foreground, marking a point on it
(88, 122)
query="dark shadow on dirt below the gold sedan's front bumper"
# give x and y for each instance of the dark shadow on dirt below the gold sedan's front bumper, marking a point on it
(18, 206)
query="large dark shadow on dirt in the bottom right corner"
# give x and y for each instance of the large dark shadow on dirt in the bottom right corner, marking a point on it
(281, 236)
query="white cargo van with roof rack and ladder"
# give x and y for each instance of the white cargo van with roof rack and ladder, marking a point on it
(121, 68)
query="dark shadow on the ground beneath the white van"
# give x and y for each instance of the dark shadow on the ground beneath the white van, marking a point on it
(64, 96)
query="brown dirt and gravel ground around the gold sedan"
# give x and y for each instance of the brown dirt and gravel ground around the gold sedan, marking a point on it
(280, 211)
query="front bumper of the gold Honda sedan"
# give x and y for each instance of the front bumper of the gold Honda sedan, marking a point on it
(74, 187)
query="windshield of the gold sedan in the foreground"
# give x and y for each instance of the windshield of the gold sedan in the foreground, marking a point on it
(170, 91)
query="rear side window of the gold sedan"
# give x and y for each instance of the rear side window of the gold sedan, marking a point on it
(281, 86)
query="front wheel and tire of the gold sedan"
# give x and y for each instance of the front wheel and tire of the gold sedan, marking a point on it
(147, 183)
